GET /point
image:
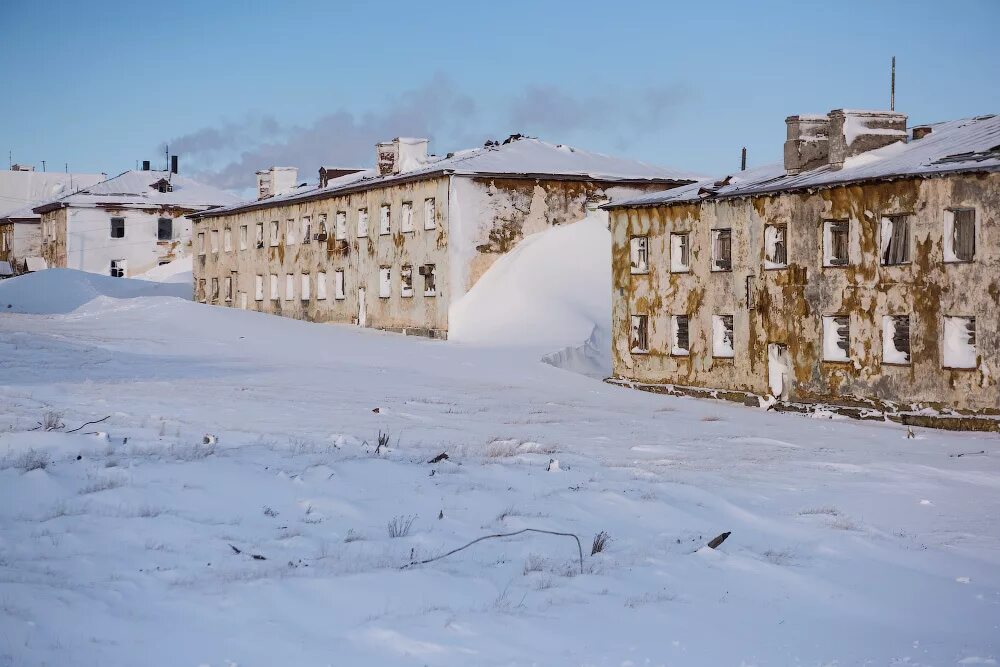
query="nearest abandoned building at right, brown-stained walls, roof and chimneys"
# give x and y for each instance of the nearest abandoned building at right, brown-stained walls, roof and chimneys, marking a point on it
(865, 270)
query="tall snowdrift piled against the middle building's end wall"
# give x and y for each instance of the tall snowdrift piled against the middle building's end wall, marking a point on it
(552, 290)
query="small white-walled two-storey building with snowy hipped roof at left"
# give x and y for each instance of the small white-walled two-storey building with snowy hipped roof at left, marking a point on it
(126, 225)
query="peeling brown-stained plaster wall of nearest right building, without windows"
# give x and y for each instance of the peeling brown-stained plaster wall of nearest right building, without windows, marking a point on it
(787, 305)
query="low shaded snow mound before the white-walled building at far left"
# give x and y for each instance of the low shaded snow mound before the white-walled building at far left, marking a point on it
(57, 291)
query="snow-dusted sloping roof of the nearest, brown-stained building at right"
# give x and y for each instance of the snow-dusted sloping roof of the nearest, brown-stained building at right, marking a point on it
(965, 145)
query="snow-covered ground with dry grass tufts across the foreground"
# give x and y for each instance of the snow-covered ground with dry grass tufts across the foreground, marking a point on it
(851, 543)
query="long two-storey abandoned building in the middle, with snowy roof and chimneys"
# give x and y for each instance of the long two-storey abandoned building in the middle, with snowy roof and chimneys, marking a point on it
(393, 247)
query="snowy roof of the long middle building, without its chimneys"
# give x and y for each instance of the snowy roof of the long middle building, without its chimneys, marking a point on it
(517, 157)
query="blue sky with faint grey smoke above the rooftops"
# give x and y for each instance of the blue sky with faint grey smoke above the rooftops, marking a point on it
(238, 86)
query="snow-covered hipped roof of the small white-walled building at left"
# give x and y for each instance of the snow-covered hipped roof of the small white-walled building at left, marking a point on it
(137, 189)
